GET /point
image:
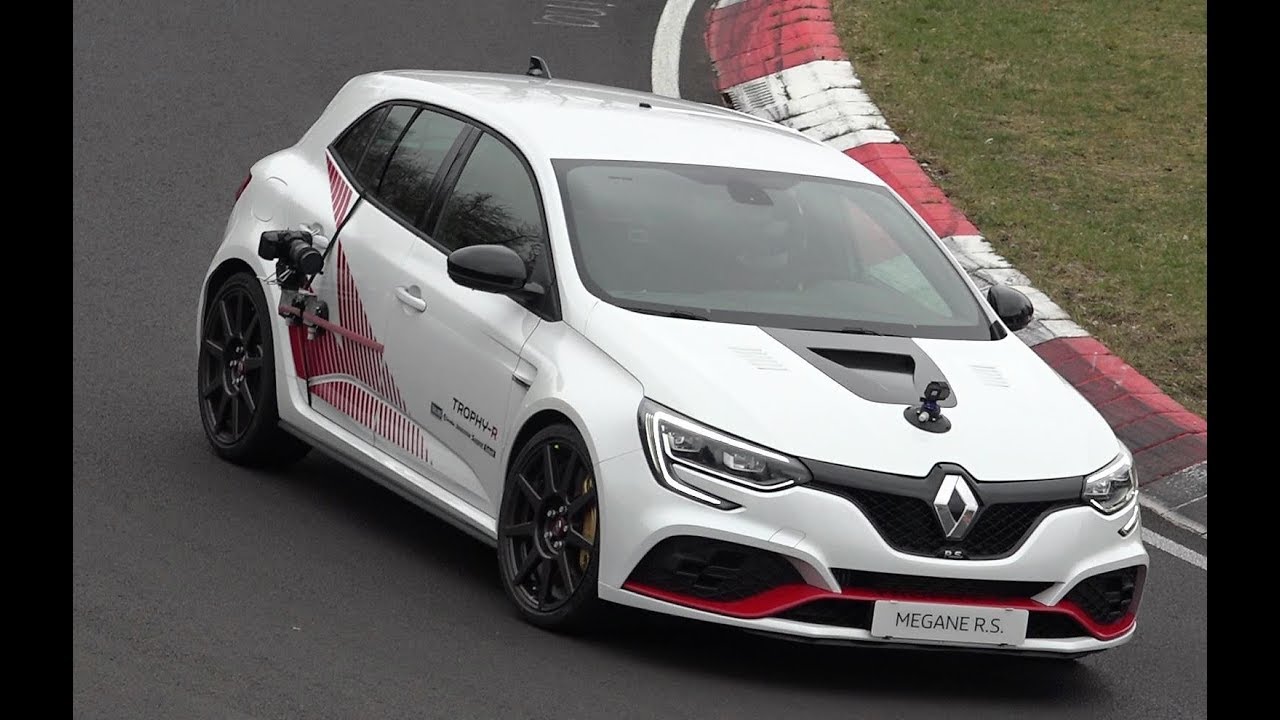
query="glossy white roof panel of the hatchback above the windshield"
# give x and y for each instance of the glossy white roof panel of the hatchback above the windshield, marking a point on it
(557, 119)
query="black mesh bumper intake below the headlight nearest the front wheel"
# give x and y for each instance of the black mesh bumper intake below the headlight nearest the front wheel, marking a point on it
(711, 569)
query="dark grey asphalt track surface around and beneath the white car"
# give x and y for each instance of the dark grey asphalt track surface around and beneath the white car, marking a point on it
(207, 591)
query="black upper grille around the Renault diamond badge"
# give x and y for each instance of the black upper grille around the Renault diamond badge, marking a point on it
(909, 525)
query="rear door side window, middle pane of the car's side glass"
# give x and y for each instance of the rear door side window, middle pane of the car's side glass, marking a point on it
(415, 162)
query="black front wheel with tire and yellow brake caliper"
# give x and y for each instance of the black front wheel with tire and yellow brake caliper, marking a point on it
(550, 532)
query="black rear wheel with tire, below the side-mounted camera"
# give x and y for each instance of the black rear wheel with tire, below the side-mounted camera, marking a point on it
(236, 379)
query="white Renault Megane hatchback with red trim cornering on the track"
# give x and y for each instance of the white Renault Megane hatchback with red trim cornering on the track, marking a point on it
(665, 356)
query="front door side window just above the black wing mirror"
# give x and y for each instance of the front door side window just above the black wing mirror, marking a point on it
(495, 203)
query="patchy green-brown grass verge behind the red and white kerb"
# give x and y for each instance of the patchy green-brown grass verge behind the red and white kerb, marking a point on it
(1073, 134)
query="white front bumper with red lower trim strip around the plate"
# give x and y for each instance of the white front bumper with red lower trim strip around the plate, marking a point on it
(840, 566)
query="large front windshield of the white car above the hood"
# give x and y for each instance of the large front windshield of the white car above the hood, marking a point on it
(761, 248)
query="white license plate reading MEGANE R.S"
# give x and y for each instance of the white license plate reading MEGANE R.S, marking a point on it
(949, 623)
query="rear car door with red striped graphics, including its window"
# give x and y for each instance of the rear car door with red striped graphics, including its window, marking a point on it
(381, 175)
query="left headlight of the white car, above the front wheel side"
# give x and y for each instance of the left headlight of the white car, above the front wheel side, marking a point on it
(680, 448)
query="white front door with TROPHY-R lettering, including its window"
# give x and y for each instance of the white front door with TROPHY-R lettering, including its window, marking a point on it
(465, 345)
